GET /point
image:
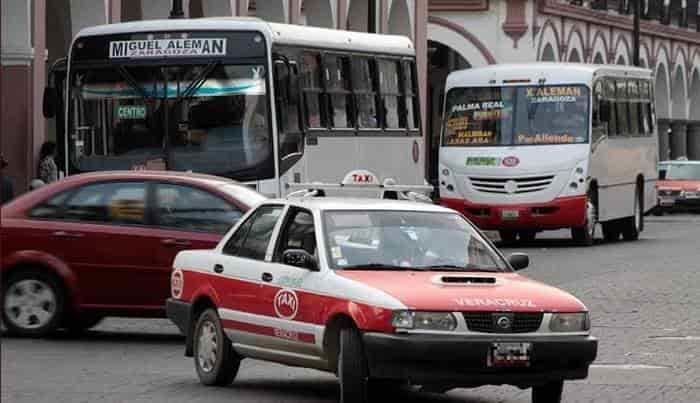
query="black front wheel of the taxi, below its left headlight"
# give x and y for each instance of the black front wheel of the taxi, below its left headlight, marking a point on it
(352, 367)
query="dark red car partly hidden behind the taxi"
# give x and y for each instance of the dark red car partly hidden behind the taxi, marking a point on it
(103, 244)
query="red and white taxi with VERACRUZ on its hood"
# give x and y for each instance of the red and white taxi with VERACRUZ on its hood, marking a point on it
(375, 291)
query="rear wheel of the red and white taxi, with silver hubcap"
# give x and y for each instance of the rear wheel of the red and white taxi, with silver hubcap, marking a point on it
(215, 359)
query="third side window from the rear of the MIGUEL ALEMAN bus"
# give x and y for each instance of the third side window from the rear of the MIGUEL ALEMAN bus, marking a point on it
(364, 78)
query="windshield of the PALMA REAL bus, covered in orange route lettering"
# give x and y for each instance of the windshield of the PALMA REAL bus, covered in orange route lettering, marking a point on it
(521, 115)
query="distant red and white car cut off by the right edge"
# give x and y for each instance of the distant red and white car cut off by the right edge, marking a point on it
(678, 186)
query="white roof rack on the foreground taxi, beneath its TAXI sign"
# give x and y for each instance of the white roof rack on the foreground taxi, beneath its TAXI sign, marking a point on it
(389, 191)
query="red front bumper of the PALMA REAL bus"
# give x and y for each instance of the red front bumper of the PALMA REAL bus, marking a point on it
(562, 212)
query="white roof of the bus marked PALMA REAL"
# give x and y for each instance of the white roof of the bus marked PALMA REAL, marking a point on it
(552, 73)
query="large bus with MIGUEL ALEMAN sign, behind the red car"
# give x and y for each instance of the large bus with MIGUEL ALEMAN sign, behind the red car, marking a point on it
(270, 105)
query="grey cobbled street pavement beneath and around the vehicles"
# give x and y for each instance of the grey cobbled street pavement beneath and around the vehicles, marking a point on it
(643, 297)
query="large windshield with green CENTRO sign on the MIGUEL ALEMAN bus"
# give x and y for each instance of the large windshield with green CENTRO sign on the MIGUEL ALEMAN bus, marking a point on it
(209, 118)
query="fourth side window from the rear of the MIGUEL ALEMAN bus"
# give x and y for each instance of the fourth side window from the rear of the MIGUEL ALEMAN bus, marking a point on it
(338, 89)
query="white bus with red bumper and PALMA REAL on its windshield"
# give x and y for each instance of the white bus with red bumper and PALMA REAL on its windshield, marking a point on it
(545, 146)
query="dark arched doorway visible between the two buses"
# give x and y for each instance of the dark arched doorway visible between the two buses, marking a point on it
(442, 60)
